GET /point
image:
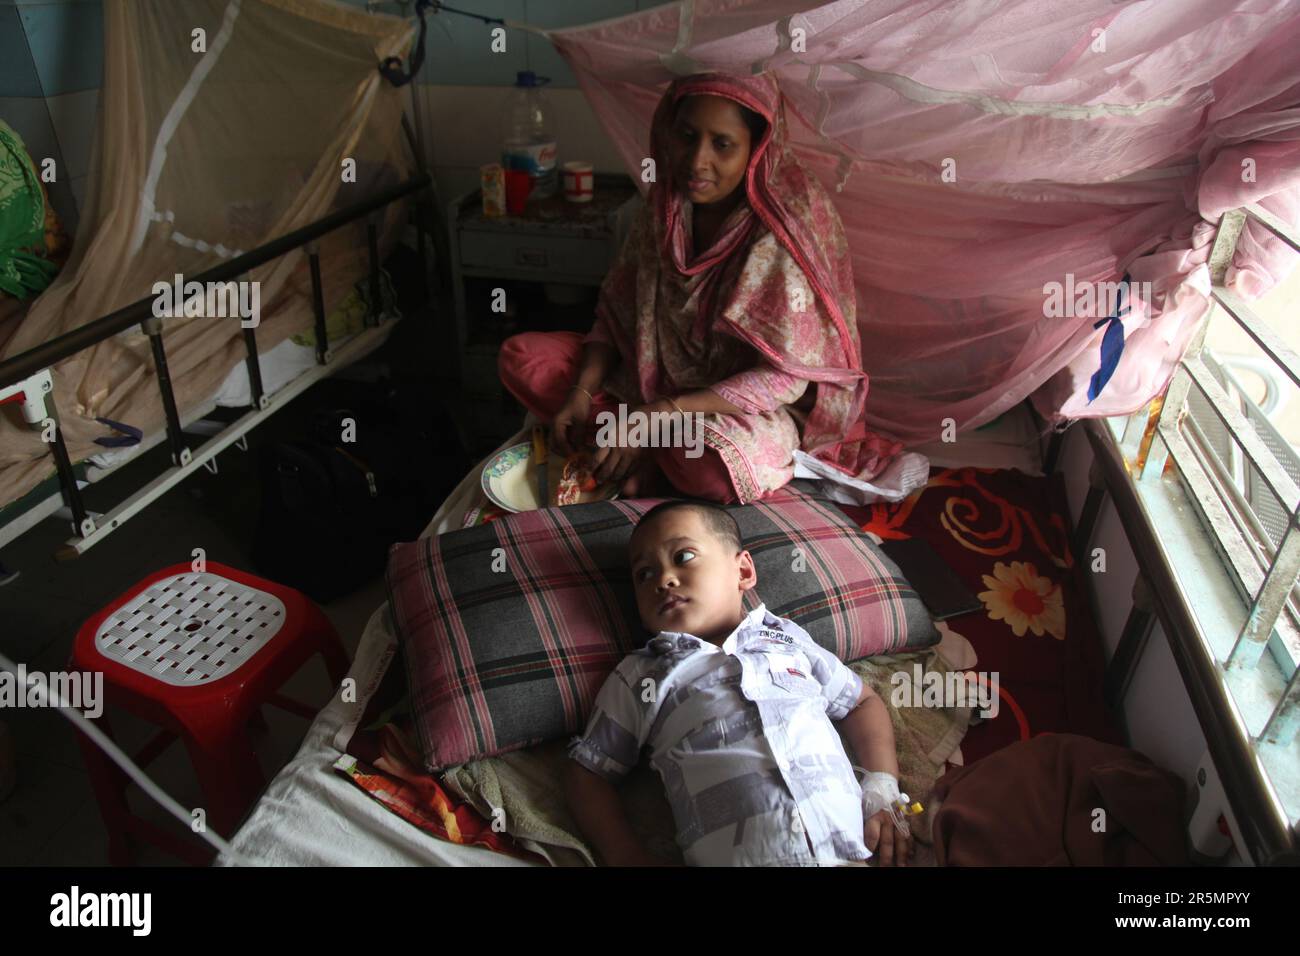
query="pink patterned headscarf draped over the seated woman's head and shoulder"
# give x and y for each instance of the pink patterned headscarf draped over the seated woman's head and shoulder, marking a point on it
(820, 345)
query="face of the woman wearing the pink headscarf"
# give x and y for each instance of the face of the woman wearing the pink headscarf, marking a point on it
(710, 149)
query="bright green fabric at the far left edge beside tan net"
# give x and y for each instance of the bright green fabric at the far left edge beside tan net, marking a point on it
(23, 222)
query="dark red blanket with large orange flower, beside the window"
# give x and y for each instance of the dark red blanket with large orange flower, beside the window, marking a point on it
(1007, 535)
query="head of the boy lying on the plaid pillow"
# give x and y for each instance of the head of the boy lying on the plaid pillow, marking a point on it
(690, 570)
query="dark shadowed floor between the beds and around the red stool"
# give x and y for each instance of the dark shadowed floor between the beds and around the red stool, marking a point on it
(53, 819)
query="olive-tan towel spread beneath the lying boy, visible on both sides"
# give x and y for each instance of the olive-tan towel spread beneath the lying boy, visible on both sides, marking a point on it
(527, 785)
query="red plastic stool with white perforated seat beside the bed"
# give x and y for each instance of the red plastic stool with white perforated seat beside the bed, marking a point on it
(198, 654)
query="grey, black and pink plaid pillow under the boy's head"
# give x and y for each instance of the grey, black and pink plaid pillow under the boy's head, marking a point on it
(510, 629)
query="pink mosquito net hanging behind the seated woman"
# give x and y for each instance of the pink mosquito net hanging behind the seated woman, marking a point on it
(978, 153)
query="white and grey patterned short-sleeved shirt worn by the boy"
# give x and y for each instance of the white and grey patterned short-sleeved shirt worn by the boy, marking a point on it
(742, 736)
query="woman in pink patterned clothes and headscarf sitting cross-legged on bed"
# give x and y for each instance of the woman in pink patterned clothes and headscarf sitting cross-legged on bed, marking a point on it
(733, 300)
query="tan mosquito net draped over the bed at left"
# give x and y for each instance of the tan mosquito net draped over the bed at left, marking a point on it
(209, 148)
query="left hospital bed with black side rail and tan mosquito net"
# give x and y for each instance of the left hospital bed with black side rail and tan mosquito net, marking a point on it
(328, 150)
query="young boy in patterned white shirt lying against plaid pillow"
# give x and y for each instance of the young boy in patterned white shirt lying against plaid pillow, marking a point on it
(736, 711)
